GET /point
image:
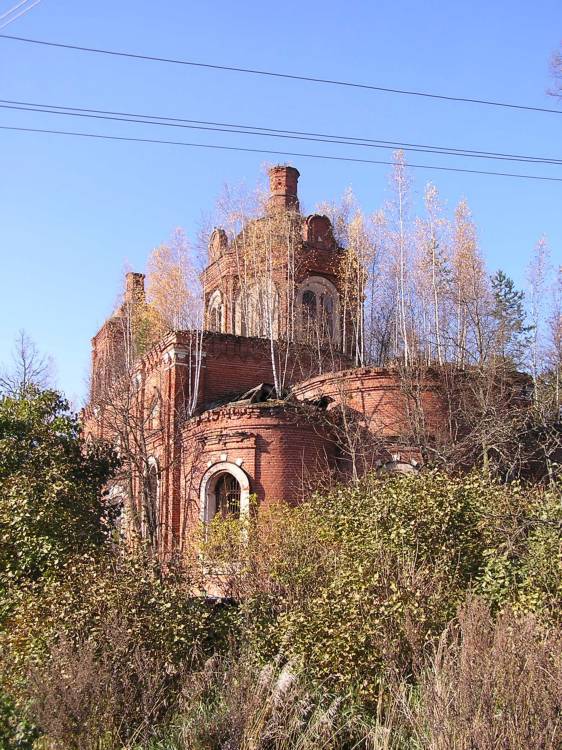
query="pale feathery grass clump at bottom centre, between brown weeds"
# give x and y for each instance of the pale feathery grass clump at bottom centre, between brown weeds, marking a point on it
(234, 703)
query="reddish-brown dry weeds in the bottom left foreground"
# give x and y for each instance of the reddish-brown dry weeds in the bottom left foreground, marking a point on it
(90, 698)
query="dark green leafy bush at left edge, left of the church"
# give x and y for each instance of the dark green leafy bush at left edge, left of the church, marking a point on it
(51, 505)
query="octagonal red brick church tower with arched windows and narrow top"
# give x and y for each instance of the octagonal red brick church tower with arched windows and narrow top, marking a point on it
(281, 276)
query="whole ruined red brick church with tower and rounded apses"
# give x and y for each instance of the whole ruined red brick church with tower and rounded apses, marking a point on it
(255, 405)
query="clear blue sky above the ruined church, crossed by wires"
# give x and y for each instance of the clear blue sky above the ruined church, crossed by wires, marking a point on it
(73, 212)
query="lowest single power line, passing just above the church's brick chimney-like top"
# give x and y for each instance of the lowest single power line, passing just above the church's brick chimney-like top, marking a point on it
(270, 151)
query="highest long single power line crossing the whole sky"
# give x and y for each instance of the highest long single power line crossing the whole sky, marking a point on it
(275, 74)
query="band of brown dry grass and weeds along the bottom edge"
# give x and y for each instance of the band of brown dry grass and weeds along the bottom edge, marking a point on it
(488, 685)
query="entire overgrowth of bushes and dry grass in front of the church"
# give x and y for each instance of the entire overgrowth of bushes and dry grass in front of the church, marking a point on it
(397, 612)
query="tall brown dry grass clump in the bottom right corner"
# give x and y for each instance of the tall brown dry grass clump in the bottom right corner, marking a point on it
(492, 685)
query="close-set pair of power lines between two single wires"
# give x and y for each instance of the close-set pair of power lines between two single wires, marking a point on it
(266, 132)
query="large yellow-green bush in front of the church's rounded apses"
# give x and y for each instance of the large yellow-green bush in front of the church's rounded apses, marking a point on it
(354, 584)
